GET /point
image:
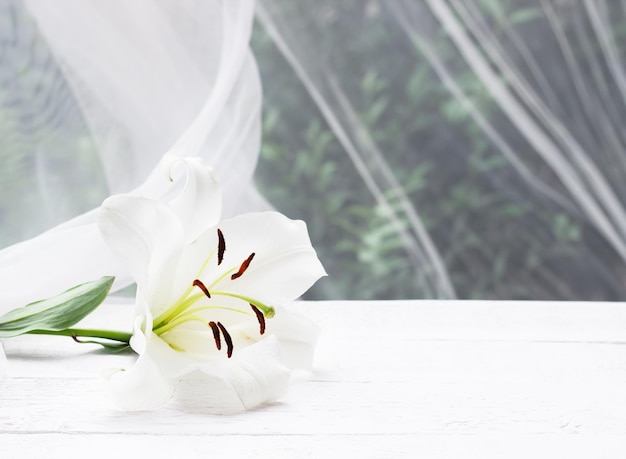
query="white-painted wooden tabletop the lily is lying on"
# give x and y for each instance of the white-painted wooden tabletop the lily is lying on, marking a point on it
(394, 379)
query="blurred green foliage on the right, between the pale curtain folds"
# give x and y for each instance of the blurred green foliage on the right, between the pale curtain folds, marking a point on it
(499, 238)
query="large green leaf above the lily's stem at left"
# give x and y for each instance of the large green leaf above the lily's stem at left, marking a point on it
(56, 313)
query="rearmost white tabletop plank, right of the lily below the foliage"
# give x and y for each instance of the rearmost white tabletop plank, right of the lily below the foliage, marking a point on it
(470, 320)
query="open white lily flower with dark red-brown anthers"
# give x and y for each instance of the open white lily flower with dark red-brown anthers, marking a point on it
(205, 289)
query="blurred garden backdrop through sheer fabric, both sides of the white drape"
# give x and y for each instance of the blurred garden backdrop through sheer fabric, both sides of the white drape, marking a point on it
(436, 148)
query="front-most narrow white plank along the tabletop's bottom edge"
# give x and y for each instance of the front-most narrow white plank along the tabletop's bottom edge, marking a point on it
(54, 445)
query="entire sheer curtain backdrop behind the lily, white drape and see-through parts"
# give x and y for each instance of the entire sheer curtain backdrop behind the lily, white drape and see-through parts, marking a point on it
(436, 148)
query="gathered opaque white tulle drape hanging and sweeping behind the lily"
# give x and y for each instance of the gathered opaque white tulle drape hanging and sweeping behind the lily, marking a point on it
(150, 77)
